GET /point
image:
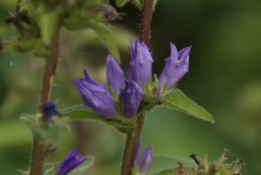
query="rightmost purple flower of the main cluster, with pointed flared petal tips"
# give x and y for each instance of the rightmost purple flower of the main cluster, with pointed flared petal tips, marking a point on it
(175, 68)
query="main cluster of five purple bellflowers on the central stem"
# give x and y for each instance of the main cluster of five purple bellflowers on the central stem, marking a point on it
(130, 91)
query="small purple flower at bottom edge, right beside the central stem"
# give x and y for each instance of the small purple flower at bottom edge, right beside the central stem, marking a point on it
(143, 161)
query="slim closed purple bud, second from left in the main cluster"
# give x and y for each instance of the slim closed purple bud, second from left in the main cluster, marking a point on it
(115, 75)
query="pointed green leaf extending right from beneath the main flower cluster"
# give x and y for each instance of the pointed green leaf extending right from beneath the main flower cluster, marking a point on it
(178, 101)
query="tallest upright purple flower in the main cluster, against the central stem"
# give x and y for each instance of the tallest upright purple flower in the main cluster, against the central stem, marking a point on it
(141, 63)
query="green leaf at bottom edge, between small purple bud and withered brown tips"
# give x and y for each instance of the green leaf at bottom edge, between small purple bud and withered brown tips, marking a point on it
(161, 164)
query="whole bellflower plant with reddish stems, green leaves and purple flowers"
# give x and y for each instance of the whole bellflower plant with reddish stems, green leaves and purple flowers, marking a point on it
(41, 26)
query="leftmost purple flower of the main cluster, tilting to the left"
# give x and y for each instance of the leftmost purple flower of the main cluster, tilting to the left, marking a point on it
(96, 96)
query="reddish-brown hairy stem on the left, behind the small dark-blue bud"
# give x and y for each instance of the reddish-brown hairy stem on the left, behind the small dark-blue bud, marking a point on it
(49, 73)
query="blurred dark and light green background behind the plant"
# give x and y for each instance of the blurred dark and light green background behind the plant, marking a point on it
(224, 77)
